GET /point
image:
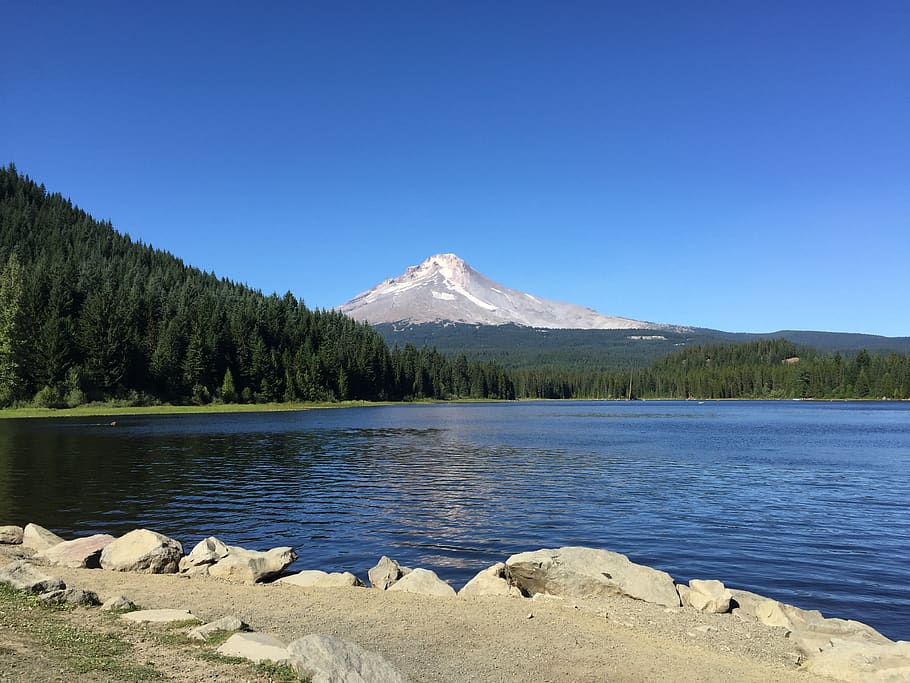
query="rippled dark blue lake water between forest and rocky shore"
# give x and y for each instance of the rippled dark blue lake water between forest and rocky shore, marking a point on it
(805, 502)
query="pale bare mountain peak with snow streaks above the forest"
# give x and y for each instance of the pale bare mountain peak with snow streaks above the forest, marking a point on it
(445, 288)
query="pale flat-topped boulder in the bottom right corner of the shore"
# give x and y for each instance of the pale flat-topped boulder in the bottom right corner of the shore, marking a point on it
(862, 662)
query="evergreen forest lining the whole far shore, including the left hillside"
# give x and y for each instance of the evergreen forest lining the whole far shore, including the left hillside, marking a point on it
(87, 314)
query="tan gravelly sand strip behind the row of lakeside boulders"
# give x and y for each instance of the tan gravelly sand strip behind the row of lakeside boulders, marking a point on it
(484, 640)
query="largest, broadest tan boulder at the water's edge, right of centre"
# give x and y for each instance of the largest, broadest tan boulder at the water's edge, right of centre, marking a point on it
(590, 573)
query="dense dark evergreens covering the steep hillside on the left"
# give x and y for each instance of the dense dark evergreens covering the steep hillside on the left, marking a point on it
(87, 314)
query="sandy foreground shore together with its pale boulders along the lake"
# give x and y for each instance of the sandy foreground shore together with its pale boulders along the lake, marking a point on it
(566, 614)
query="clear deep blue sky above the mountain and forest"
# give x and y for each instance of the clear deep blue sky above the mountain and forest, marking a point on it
(737, 165)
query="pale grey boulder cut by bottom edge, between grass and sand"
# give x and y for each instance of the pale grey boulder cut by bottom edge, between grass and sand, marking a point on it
(326, 659)
